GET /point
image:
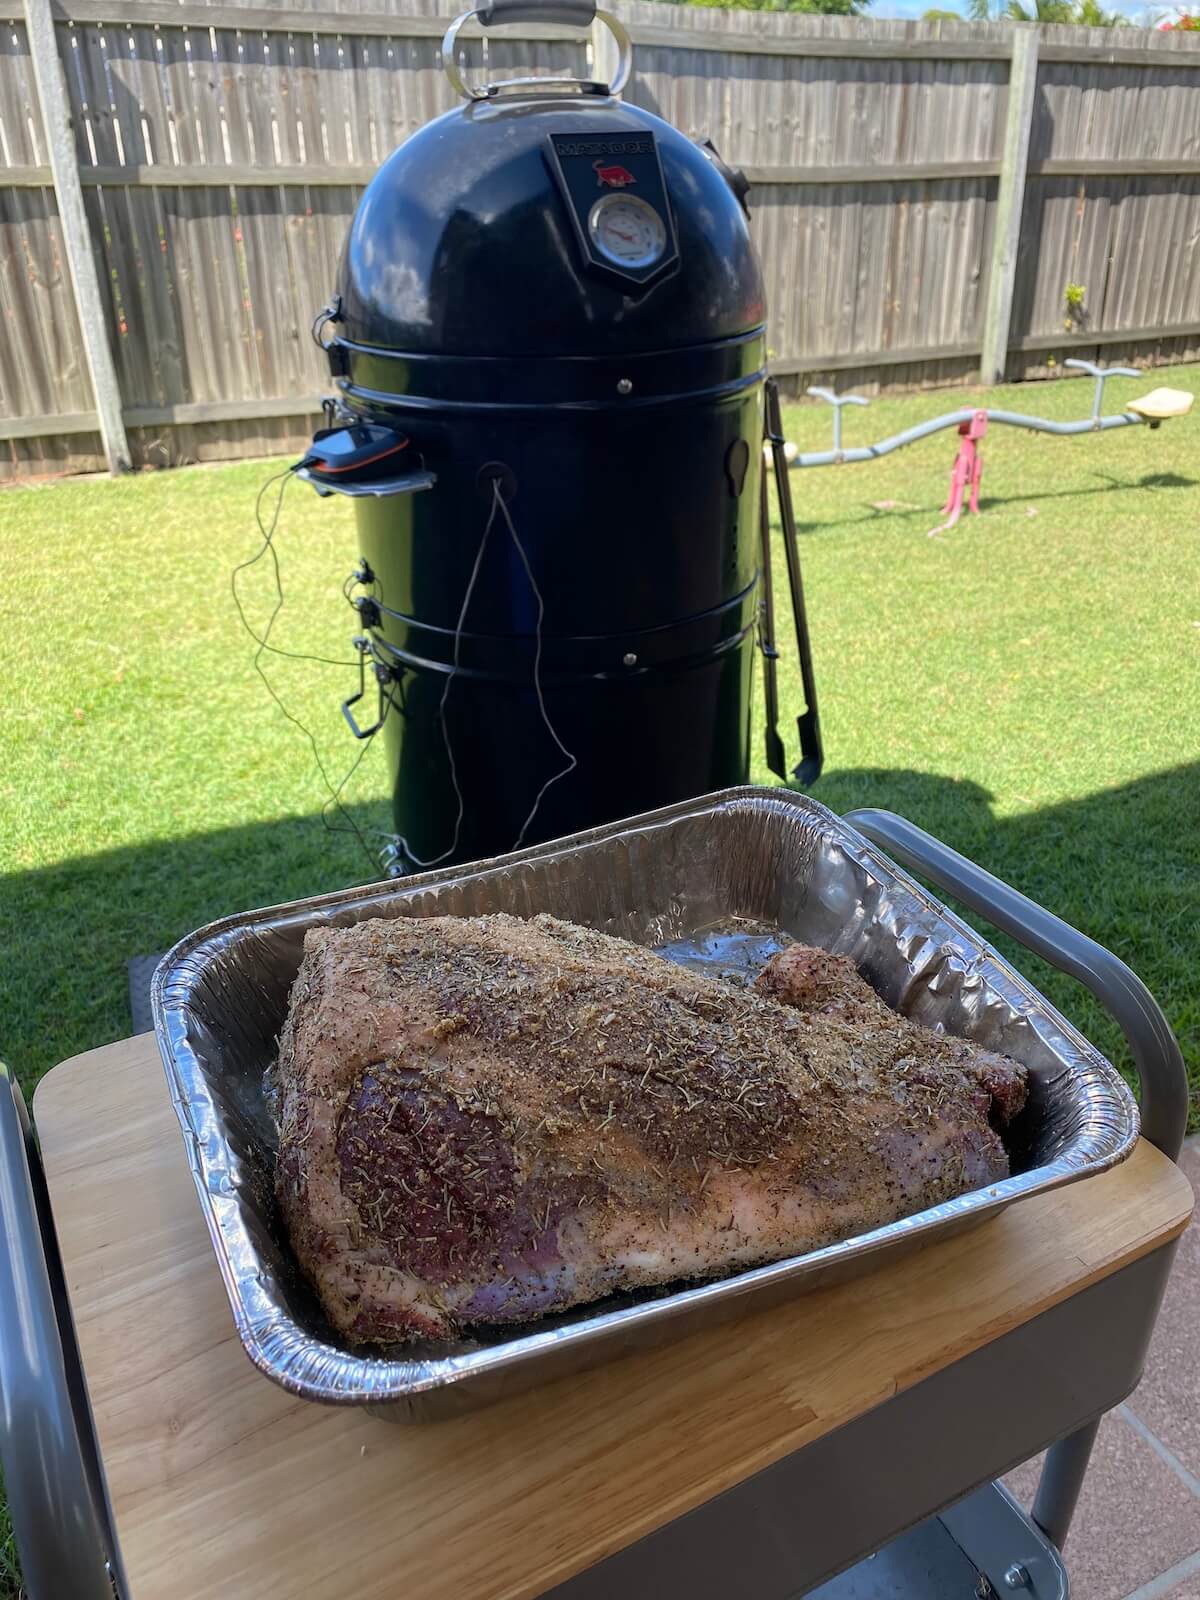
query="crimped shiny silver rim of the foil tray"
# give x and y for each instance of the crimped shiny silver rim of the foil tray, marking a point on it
(313, 1369)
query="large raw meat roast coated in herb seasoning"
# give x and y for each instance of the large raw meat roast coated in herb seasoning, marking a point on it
(484, 1121)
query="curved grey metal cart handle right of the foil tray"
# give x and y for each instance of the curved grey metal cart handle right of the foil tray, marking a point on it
(1156, 1054)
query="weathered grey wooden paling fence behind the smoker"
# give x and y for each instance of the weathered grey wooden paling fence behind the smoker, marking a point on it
(177, 180)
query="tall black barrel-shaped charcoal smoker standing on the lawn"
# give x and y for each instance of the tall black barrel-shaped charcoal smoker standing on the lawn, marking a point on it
(550, 358)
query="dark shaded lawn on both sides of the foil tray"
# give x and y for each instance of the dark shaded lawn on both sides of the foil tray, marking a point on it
(1122, 865)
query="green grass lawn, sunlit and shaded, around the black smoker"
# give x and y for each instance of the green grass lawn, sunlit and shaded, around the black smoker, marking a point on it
(1026, 687)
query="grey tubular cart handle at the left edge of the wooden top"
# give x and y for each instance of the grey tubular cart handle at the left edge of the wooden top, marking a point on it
(54, 1510)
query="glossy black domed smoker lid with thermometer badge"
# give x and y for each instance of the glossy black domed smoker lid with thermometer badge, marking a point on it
(466, 244)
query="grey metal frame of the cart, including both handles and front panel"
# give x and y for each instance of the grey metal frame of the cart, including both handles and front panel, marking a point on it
(745, 1540)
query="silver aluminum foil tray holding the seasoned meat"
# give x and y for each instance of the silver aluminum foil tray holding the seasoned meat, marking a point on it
(716, 884)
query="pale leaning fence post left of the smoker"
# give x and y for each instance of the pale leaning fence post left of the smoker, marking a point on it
(76, 234)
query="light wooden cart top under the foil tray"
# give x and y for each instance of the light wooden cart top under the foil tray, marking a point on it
(223, 1486)
